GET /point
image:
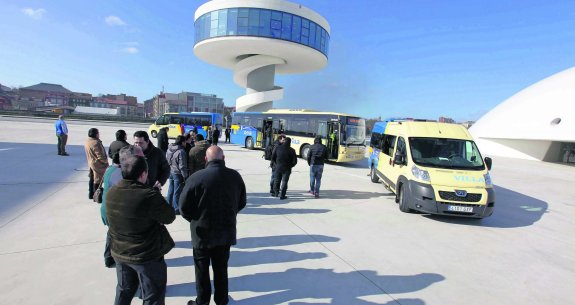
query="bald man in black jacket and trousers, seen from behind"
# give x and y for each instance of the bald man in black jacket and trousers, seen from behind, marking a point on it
(210, 201)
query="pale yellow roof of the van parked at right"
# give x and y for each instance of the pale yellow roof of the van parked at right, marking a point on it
(424, 129)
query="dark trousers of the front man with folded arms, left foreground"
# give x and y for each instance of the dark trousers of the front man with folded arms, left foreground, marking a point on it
(151, 277)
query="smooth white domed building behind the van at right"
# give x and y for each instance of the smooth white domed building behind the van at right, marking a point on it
(538, 123)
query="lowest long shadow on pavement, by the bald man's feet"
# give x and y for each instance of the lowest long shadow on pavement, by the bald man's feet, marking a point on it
(300, 283)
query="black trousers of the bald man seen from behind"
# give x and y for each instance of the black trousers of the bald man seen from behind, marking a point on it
(219, 257)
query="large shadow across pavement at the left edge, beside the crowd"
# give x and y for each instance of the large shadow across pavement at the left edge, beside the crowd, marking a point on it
(29, 170)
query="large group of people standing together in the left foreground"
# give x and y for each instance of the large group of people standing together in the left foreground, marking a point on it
(202, 189)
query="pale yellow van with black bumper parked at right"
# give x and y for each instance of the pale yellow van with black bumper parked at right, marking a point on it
(431, 167)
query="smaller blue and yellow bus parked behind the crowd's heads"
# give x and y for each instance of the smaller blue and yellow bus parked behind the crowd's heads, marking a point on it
(182, 122)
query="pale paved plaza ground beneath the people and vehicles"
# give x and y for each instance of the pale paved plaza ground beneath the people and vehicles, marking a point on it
(352, 246)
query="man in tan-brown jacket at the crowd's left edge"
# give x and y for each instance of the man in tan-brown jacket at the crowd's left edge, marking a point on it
(97, 160)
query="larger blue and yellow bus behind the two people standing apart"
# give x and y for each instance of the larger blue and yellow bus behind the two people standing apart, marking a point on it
(343, 134)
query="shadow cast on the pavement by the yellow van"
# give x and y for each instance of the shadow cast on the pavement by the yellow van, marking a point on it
(512, 210)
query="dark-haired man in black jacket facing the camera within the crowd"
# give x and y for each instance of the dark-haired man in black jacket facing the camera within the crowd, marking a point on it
(158, 167)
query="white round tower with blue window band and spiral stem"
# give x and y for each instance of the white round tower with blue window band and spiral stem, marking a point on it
(258, 38)
